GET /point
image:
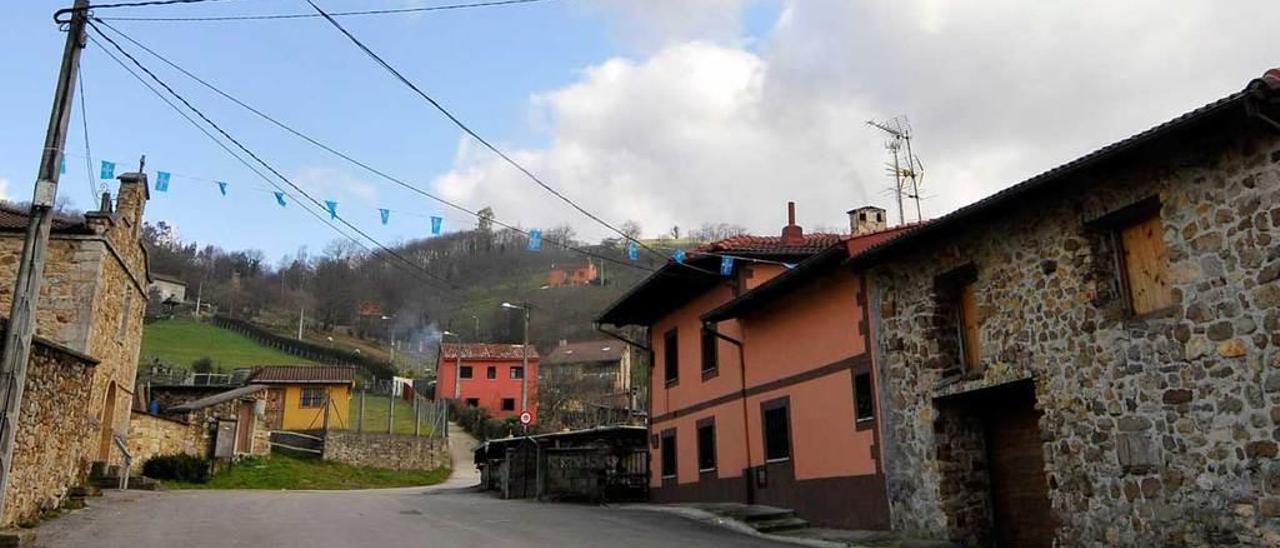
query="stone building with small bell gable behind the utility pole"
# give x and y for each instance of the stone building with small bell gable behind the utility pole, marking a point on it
(92, 305)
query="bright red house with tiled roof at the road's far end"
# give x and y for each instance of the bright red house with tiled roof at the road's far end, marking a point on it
(488, 376)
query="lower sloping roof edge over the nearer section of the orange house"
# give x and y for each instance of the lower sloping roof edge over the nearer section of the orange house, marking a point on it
(804, 272)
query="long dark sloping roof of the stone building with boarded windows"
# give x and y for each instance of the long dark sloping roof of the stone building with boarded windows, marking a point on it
(1261, 90)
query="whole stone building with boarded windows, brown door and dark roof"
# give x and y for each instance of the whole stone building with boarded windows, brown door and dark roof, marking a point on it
(1092, 357)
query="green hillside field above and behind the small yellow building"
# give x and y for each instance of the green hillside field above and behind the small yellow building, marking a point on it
(182, 341)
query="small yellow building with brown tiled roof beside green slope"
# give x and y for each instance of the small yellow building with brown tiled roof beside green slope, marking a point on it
(303, 398)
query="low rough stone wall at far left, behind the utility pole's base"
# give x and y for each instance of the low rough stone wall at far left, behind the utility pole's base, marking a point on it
(49, 447)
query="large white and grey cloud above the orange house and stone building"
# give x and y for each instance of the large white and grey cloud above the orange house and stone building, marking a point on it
(703, 130)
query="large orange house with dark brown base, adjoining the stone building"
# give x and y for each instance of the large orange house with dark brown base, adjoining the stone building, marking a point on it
(753, 398)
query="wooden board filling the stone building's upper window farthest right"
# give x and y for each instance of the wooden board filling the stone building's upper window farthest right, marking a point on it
(1146, 263)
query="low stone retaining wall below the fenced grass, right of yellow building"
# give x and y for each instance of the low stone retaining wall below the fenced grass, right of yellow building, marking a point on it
(386, 451)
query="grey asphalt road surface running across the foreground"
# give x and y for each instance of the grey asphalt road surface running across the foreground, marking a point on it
(394, 518)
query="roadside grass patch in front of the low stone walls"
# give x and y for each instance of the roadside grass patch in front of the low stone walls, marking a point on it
(287, 472)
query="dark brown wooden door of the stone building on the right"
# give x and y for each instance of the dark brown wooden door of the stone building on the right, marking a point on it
(1020, 491)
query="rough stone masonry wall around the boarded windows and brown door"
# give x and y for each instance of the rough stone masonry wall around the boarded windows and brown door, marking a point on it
(1158, 431)
